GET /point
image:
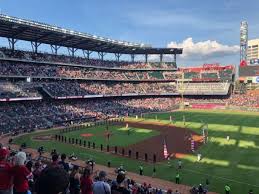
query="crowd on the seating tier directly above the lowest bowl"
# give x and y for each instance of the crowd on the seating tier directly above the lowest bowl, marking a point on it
(79, 89)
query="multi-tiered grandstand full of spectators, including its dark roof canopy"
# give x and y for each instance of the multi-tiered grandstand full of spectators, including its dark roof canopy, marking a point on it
(60, 90)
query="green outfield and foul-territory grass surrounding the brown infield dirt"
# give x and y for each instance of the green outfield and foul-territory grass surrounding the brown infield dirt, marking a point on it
(235, 162)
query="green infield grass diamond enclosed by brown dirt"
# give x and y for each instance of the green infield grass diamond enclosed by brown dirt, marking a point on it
(119, 135)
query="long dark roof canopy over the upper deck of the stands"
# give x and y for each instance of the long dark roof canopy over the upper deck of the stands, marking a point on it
(20, 29)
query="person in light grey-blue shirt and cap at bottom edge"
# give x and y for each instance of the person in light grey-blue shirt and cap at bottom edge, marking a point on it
(101, 187)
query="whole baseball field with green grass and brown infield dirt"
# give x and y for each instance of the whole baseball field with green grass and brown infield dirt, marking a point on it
(232, 160)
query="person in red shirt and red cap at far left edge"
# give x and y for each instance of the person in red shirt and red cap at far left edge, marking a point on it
(5, 175)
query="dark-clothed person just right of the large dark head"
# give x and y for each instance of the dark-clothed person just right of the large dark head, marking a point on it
(74, 180)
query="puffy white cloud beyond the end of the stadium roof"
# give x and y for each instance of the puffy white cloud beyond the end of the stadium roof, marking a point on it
(205, 50)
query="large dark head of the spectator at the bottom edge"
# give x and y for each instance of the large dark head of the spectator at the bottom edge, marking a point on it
(53, 180)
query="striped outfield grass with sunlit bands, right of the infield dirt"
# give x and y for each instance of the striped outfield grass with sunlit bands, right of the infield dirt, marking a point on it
(234, 161)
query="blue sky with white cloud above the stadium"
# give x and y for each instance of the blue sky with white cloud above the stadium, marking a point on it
(207, 30)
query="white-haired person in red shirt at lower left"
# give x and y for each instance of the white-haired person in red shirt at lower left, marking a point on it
(20, 174)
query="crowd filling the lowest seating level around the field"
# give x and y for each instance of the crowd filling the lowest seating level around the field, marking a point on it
(15, 116)
